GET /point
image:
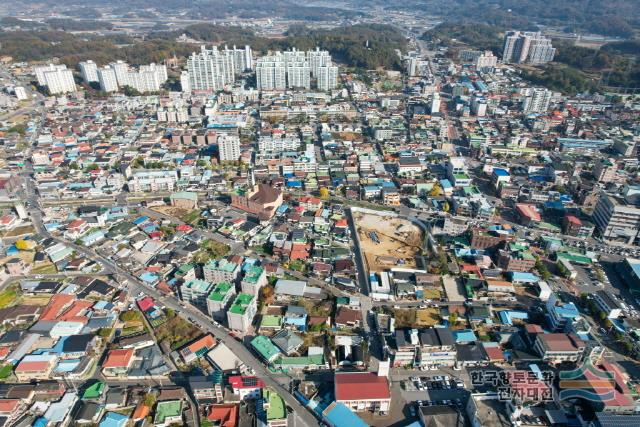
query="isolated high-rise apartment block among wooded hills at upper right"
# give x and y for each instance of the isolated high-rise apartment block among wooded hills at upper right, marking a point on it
(527, 48)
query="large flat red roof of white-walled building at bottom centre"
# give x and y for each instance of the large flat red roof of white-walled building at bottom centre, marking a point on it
(361, 386)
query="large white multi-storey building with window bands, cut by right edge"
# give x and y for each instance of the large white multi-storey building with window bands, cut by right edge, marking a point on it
(616, 220)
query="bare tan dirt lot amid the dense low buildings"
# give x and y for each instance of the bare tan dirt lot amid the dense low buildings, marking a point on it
(387, 241)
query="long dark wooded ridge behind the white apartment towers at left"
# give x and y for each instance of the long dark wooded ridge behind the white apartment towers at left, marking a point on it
(363, 46)
